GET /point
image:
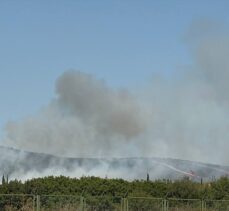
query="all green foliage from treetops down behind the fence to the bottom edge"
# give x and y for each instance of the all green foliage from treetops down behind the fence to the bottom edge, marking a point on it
(108, 194)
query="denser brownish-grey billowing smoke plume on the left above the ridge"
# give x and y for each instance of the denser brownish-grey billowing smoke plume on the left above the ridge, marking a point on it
(86, 119)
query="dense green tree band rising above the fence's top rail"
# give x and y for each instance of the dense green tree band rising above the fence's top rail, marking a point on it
(95, 186)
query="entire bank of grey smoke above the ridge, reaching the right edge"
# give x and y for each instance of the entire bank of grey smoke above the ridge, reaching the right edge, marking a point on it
(183, 116)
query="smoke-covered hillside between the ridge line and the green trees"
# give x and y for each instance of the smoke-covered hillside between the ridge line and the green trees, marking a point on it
(26, 165)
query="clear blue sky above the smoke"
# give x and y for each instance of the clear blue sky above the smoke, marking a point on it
(123, 42)
